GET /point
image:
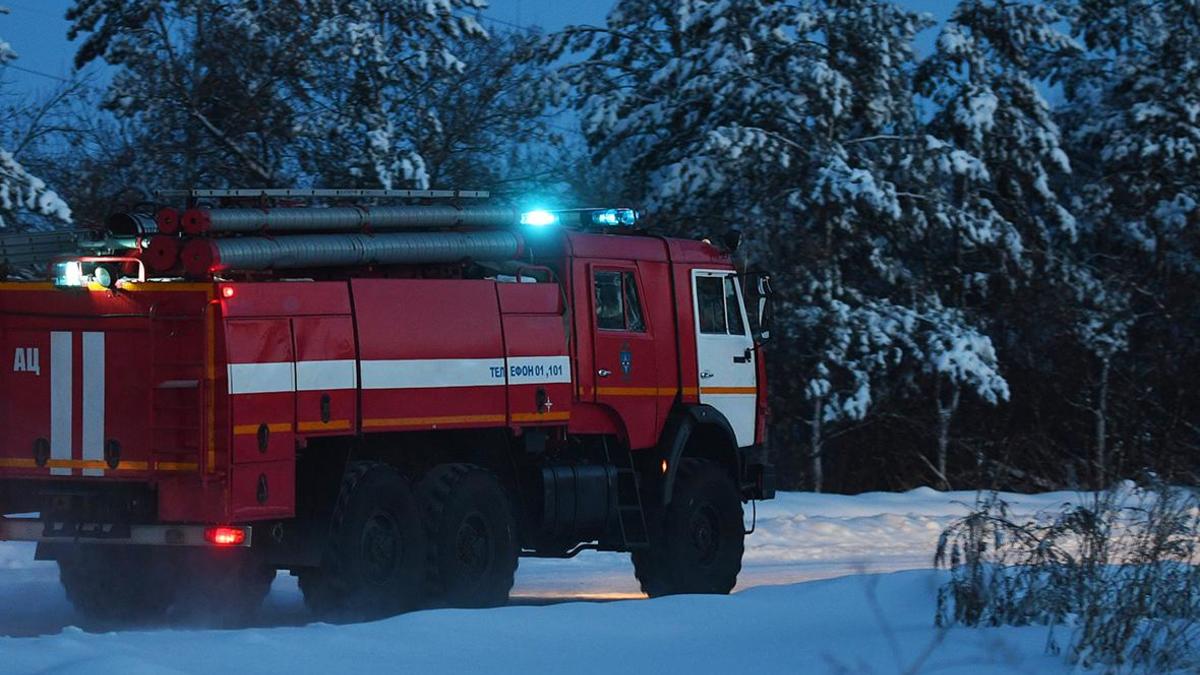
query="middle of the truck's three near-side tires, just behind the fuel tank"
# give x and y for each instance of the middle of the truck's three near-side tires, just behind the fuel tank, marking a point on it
(473, 543)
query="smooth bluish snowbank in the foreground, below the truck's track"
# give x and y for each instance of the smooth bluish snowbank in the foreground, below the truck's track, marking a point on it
(821, 626)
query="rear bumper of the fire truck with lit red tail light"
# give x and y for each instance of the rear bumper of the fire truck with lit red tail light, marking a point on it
(49, 533)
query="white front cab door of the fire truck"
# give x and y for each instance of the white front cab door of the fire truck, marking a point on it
(725, 351)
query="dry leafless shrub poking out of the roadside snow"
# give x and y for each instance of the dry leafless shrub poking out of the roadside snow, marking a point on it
(1115, 572)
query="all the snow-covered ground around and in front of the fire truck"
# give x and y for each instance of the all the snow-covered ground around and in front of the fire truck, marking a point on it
(831, 584)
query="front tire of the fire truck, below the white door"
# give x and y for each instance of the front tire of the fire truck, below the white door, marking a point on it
(698, 540)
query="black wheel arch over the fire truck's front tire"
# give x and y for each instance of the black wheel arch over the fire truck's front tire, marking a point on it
(698, 432)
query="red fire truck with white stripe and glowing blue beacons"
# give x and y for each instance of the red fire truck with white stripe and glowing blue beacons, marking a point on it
(392, 395)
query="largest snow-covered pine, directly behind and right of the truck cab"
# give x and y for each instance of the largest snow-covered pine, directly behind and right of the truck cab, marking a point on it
(797, 123)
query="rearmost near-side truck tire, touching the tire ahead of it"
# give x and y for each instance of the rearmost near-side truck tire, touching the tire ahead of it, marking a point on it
(375, 560)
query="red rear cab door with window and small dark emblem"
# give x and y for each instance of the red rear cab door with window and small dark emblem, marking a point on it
(626, 369)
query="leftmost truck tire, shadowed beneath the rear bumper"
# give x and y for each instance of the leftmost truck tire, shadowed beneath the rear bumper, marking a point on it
(117, 584)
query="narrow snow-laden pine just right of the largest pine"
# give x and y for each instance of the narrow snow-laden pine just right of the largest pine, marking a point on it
(994, 163)
